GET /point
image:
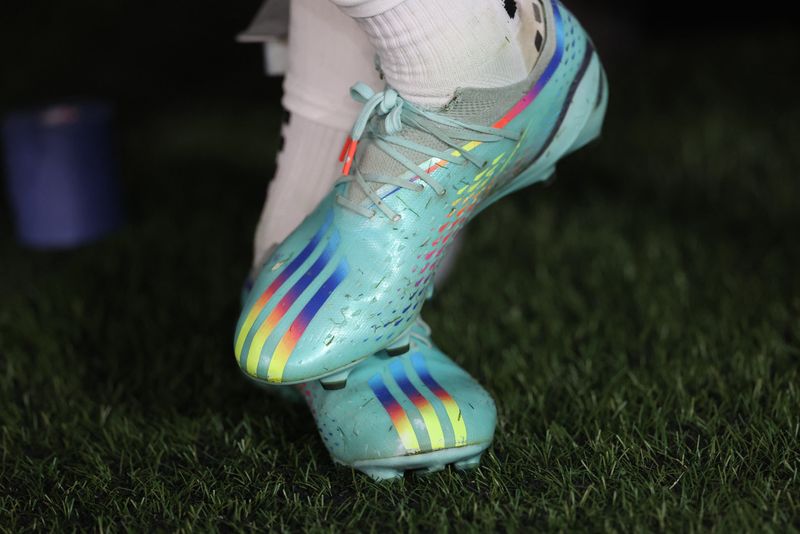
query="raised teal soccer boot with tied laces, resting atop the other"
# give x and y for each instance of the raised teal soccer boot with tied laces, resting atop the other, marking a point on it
(349, 282)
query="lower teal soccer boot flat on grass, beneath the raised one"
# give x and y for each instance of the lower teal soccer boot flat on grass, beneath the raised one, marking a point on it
(418, 411)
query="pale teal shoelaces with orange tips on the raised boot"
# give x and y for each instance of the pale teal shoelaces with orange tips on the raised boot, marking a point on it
(398, 114)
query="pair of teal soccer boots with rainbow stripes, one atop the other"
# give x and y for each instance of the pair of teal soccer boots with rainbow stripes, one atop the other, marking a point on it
(336, 307)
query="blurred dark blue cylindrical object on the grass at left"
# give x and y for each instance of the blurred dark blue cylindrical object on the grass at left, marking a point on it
(61, 174)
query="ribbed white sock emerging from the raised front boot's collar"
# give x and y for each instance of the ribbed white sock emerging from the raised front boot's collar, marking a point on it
(430, 48)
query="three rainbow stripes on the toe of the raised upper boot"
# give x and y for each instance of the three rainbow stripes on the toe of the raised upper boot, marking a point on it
(253, 360)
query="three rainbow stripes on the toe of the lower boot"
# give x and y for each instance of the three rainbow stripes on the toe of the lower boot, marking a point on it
(399, 415)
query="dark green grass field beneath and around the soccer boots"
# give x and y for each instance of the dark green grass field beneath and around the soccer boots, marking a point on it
(637, 320)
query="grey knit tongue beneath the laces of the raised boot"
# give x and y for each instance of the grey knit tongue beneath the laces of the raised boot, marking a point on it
(471, 106)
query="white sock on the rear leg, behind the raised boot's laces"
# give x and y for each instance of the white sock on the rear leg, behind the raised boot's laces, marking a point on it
(327, 54)
